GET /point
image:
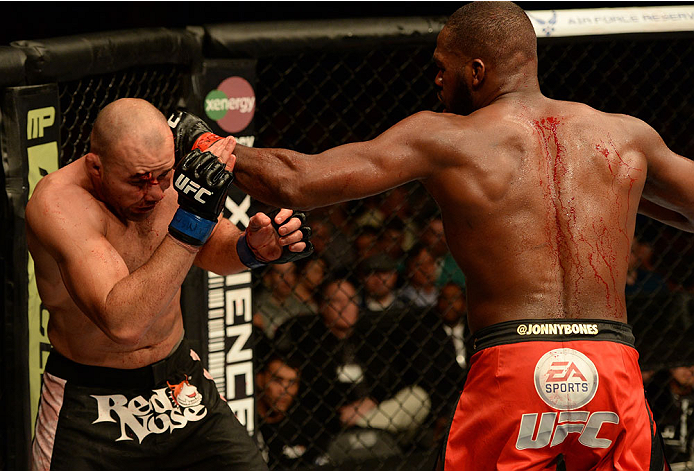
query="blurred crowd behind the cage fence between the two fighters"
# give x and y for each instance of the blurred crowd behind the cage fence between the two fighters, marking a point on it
(360, 349)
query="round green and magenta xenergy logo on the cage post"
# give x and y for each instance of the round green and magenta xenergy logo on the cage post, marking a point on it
(232, 104)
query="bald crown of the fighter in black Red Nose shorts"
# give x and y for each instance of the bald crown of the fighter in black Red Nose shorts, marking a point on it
(128, 120)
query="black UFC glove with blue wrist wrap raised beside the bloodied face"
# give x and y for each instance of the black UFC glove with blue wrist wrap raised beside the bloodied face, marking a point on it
(202, 183)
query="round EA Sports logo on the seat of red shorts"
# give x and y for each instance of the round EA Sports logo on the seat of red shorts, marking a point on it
(566, 379)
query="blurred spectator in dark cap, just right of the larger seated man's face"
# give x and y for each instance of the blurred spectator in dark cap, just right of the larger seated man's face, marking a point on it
(378, 276)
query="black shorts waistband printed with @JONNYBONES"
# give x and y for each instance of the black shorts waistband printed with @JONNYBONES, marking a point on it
(552, 330)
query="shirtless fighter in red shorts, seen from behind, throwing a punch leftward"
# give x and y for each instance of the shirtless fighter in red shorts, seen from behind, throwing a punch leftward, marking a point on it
(539, 199)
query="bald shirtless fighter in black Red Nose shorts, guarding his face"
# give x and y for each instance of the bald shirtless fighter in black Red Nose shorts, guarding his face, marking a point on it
(112, 240)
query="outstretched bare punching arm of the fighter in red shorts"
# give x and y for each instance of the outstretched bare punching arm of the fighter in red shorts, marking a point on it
(286, 178)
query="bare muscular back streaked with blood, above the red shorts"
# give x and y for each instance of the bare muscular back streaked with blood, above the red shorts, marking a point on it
(541, 210)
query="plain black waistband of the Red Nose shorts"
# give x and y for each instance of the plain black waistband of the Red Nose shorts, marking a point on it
(104, 377)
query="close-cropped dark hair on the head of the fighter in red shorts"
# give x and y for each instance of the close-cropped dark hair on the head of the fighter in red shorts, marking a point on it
(492, 31)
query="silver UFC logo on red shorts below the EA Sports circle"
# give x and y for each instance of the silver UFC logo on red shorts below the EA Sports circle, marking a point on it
(553, 432)
